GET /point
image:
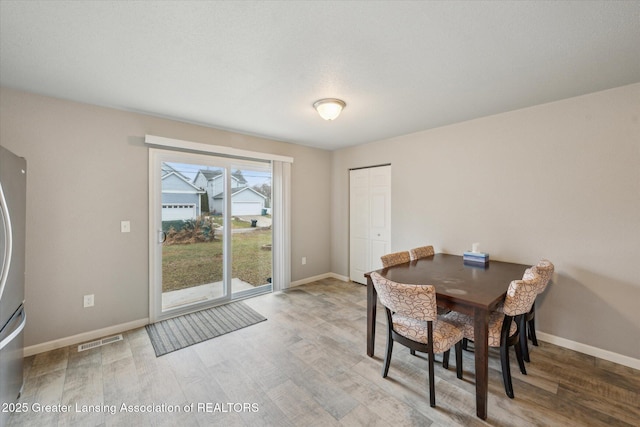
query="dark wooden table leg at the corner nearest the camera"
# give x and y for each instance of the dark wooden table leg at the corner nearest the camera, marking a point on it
(481, 351)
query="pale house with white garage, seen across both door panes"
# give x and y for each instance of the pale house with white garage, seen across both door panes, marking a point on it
(244, 200)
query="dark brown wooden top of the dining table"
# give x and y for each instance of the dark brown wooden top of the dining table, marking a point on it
(457, 283)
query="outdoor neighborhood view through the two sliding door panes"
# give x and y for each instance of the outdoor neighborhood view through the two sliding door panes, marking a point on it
(193, 218)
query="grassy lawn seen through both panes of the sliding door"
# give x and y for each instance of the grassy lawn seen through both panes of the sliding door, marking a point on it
(184, 266)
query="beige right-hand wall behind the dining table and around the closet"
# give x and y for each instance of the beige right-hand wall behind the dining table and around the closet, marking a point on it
(559, 180)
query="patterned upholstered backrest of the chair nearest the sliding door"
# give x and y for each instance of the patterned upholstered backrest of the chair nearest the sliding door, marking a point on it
(416, 301)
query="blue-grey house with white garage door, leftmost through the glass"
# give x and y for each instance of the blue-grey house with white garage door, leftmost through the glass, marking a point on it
(180, 198)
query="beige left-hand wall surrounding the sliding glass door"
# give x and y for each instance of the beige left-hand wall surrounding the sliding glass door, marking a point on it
(88, 170)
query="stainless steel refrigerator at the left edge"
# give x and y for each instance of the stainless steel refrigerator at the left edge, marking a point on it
(13, 180)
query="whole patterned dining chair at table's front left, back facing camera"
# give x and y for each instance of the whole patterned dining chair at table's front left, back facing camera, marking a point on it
(412, 321)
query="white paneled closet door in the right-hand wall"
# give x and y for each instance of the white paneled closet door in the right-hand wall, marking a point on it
(369, 219)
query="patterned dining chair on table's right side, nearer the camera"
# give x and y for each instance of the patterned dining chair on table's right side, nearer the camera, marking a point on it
(504, 326)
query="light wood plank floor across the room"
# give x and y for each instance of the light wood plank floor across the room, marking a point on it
(307, 366)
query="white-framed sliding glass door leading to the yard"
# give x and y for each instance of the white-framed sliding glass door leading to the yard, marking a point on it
(211, 231)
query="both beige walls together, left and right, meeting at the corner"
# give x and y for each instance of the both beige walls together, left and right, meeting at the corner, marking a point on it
(560, 180)
